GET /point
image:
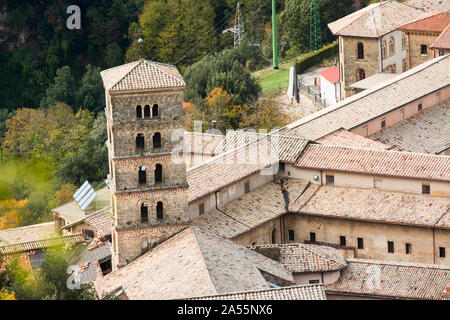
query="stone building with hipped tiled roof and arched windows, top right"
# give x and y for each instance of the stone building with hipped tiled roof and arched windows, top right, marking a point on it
(369, 42)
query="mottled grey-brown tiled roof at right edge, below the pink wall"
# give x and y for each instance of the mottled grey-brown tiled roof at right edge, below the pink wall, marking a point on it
(427, 132)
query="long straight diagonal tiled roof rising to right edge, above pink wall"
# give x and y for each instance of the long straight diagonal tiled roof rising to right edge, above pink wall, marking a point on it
(409, 86)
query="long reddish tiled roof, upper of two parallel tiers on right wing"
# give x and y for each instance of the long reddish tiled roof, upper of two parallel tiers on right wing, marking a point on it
(376, 162)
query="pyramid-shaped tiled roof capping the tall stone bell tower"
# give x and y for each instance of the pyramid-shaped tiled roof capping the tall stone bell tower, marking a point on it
(142, 75)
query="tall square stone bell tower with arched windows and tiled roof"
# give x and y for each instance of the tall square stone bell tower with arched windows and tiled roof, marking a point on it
(148, 180)
